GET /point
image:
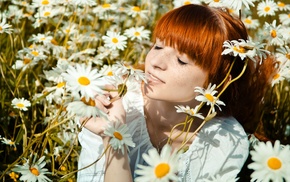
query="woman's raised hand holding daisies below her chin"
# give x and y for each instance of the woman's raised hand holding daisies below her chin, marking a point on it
(108, 103)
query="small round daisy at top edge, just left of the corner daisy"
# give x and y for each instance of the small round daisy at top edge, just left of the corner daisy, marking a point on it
(268, 7)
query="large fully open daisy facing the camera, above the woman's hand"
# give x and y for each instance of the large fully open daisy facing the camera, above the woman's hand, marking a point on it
(82, 81)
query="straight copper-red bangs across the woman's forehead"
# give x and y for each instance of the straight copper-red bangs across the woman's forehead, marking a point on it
(194, 31)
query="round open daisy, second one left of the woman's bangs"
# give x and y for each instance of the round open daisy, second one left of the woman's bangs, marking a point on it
(114, 40)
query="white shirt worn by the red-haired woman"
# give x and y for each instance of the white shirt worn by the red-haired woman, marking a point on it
(220, 148)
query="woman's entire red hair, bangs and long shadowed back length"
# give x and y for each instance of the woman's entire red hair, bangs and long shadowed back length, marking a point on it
(200, 31)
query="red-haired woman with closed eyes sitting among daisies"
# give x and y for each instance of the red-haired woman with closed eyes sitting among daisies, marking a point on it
(187, 54)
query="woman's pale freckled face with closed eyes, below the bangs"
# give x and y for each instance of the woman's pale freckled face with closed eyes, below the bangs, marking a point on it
(171, 76)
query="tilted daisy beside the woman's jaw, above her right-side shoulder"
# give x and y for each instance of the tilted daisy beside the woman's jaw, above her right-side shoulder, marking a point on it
(207, 95)
